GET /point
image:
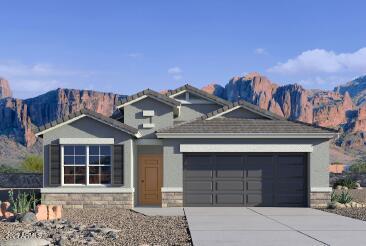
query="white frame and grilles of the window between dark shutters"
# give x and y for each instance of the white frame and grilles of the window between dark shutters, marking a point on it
(87, 170)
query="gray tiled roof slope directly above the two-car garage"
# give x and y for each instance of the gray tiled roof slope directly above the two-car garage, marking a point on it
(243, 126)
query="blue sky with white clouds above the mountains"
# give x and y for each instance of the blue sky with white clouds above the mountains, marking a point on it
(126, 46)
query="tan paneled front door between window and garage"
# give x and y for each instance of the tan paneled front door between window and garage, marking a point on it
(150, 179)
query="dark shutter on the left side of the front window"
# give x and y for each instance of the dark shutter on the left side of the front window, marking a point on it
(55, 165)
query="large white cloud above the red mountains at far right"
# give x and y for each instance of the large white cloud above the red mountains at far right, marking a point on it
(319, 61)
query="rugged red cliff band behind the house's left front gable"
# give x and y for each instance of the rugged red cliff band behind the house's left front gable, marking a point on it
(17, 116)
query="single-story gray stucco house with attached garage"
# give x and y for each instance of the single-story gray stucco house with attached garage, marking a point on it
(185, 147)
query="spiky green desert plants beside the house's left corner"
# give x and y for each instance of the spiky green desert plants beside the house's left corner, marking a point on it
(23, 202)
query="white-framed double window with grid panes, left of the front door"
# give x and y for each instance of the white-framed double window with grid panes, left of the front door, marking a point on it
(87, 165)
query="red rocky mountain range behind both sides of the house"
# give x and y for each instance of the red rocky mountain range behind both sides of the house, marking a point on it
(343, 108)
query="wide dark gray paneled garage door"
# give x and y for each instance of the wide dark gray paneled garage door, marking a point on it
(245, 180)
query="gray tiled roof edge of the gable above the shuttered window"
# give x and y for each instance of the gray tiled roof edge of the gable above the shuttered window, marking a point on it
(91, 114)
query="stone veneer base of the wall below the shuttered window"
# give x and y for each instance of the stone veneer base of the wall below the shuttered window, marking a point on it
(89, 200)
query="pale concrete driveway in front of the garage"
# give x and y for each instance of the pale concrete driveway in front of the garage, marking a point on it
(272, 226)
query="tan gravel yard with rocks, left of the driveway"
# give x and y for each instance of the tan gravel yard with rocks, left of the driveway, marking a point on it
(103, 227)
